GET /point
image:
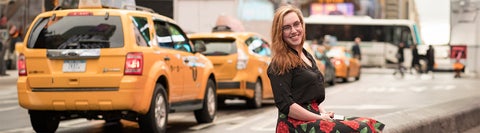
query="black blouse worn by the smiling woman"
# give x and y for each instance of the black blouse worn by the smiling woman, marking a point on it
(300, 85)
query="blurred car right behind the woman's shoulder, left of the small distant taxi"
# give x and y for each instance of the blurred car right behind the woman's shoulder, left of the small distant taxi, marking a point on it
(323, 63)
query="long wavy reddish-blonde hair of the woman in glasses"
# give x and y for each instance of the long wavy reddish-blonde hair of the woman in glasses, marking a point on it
(283, 58)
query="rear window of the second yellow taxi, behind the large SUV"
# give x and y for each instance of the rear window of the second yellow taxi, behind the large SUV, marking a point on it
(217, 46)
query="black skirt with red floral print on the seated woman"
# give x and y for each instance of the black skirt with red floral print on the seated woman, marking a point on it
(286, 124)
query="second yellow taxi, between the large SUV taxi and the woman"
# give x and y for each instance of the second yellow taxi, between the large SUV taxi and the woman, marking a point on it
(240, 60)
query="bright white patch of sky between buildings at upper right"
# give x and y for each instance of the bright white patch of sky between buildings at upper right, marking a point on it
(434, 18)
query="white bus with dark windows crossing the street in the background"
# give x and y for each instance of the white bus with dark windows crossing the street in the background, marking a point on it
(380, 37)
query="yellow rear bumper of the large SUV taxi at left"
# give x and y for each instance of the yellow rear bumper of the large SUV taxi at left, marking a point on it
(128, 95)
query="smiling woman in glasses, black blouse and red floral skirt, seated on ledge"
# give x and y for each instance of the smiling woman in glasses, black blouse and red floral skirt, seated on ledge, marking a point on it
(298, 86)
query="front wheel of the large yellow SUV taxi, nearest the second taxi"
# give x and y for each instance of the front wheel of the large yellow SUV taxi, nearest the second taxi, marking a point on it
(209, 110)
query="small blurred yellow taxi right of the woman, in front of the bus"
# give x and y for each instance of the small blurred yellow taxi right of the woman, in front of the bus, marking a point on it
(345, 66)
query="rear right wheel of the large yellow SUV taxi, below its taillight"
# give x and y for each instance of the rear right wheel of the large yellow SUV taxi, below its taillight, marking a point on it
(155, 121)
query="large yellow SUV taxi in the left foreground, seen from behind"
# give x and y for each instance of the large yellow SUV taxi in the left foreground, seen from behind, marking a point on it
(111, 64)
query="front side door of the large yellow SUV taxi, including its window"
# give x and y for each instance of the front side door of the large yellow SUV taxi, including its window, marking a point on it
(188, 67)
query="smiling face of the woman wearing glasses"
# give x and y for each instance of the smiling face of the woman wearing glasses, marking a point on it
(292, 30)
